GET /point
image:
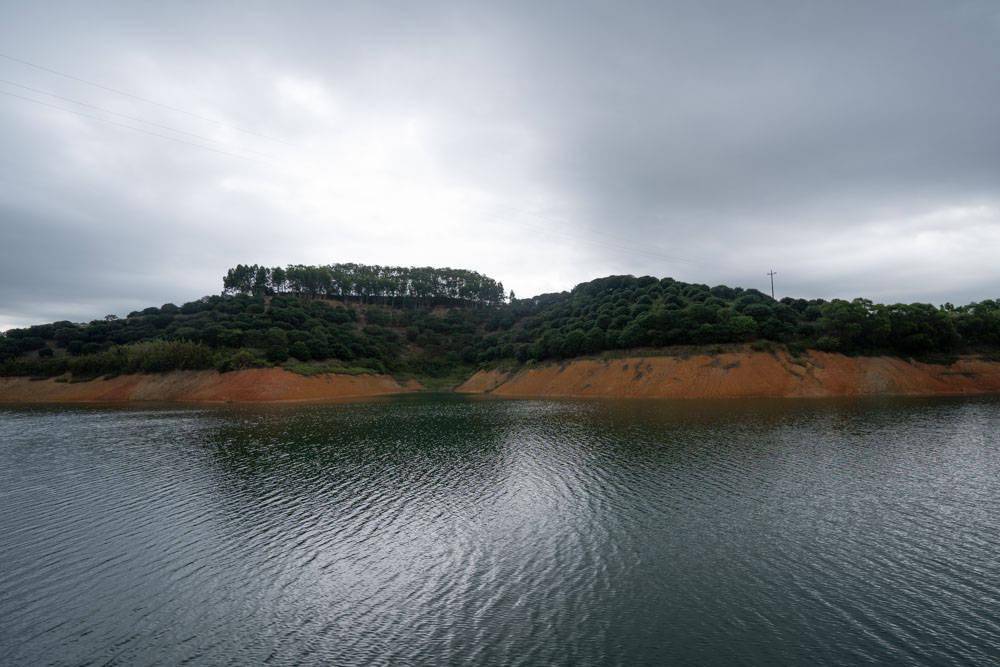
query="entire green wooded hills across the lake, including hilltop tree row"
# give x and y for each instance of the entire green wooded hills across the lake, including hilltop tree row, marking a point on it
(434, 323)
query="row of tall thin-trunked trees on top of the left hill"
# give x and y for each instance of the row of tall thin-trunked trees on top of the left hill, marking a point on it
(367, 283)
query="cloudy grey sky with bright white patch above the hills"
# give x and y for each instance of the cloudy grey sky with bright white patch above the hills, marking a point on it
(853, 147)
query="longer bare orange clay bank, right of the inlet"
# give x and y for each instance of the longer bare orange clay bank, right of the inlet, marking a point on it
(741, 374)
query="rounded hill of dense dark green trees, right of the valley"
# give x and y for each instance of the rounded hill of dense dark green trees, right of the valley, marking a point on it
(623, 312)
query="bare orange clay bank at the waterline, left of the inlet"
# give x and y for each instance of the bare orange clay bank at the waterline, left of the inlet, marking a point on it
(262, 385)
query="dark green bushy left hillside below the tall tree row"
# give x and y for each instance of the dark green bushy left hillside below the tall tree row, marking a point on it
(243, 331)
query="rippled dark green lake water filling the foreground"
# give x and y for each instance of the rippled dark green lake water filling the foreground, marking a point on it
(460, 531)
